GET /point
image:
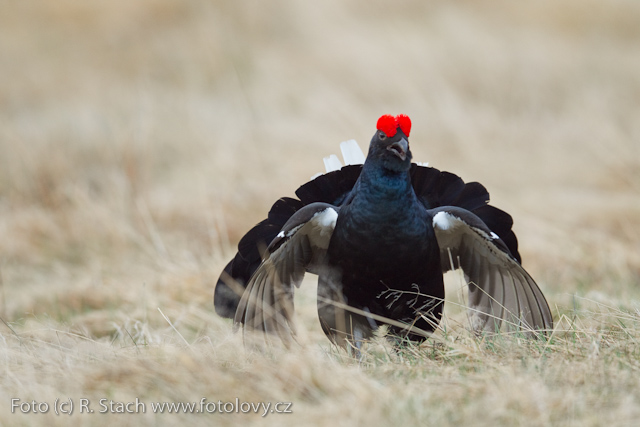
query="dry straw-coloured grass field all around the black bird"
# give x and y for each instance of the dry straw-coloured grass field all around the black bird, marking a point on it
(139, 140)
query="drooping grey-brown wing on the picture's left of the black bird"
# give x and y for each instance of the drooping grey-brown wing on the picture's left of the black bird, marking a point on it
(267, 303)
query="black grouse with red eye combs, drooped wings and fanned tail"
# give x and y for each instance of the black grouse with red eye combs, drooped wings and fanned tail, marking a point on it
(380, 236)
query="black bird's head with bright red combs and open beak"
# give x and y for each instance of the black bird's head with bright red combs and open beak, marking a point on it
(390, 144)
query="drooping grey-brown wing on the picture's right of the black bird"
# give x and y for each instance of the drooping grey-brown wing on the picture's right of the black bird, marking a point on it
(501, 293)
